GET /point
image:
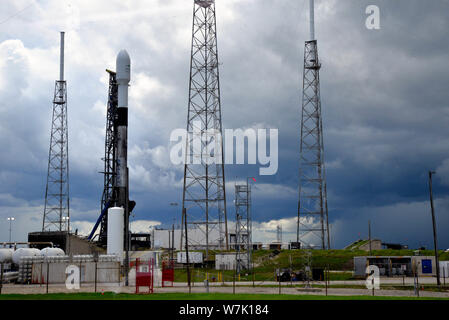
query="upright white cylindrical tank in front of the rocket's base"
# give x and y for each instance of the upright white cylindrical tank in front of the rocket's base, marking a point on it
(116, 226)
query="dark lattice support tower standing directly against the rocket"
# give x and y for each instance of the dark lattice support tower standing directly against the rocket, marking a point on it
(110, 156)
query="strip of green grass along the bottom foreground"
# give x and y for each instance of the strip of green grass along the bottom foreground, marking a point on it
(196, 296)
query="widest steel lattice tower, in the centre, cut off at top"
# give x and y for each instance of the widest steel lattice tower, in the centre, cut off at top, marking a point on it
(204, 196)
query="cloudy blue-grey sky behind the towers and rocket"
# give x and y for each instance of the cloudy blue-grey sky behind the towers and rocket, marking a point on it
(385, 104)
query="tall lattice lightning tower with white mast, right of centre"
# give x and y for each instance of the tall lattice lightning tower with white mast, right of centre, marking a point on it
(312, 219)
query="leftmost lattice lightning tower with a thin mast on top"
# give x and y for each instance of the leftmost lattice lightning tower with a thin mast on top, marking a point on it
(57, 210)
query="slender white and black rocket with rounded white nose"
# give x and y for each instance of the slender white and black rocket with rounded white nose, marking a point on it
(123, 78)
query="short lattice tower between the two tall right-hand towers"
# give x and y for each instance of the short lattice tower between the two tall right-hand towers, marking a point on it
(243, 228)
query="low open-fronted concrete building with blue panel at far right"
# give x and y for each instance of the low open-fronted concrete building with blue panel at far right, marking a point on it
(396, 266)
